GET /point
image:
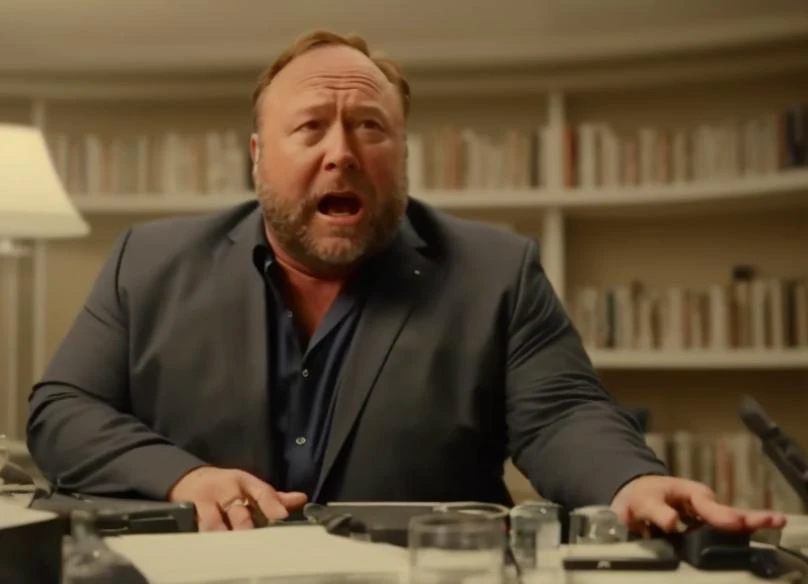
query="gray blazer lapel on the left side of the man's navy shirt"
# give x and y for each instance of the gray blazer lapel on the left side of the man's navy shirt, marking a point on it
(243, 325)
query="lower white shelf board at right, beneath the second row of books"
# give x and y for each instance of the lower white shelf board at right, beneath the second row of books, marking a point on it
(700, 359)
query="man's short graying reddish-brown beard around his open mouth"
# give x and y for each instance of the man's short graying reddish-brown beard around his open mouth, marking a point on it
(290, 223)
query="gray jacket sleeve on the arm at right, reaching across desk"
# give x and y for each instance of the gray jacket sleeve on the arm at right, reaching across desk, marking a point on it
(566, 433)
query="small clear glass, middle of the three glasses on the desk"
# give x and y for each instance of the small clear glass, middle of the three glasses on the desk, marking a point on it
(534, 525)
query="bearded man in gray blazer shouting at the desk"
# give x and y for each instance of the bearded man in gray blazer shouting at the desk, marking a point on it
(337, 340)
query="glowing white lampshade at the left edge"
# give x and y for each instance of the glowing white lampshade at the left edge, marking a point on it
(33, 203)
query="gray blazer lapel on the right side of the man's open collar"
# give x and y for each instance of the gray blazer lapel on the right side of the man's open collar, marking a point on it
(403, 276)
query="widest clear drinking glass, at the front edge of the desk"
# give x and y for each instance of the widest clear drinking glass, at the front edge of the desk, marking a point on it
(448, 547)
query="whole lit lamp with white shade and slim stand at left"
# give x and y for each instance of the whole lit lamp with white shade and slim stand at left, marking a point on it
(33, 206)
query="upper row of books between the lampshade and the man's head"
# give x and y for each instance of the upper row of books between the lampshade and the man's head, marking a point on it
(214, 162)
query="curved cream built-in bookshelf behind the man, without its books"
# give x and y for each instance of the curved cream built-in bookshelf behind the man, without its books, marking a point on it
(595, 231)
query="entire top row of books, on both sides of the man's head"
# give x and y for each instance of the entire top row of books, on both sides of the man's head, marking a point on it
(588, 155)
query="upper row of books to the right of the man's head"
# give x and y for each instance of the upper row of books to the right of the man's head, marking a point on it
(600, 155)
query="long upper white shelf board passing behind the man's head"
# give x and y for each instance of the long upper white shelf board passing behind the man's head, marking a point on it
(763, 189)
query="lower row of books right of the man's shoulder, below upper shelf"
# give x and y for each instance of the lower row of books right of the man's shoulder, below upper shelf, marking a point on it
(745, 313)
